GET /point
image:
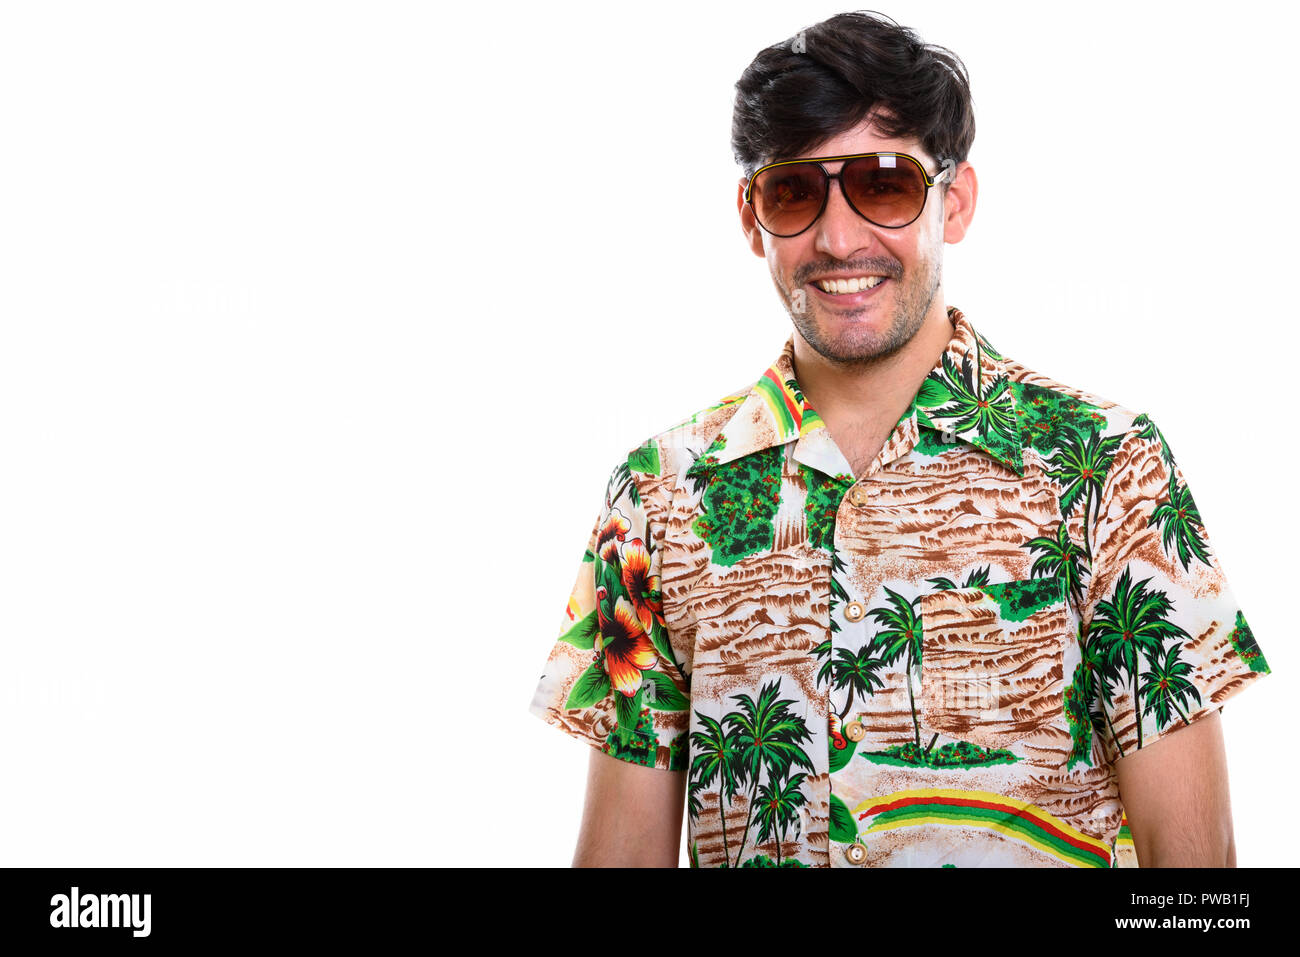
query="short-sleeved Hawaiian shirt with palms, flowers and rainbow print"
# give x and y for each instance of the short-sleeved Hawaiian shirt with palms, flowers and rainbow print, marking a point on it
(934, 664)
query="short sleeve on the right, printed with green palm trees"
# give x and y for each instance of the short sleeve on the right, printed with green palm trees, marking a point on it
(1164, 636)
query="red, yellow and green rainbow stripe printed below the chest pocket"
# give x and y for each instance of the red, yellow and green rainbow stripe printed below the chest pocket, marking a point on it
(1008, 816)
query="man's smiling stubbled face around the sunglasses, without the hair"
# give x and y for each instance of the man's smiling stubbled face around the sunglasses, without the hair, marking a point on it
(876, 323)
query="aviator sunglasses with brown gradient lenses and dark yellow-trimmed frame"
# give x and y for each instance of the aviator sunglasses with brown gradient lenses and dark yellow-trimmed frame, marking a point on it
(885, 189)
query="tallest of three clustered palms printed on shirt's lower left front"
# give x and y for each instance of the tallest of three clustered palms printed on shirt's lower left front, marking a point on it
(768, 738)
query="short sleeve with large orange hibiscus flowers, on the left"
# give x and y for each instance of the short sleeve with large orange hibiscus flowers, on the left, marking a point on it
(612, 678)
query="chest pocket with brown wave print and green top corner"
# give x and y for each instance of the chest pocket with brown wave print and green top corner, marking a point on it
(994, 660)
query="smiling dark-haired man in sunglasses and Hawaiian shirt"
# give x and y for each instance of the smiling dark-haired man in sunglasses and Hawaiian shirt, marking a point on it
(904, 601)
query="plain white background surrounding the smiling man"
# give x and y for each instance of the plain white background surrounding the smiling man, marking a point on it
(324, 324)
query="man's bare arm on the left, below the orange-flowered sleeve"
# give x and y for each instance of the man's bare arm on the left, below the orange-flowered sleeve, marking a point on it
(631, 817)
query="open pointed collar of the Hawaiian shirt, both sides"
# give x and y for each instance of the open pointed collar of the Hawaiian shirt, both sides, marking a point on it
(981, 413)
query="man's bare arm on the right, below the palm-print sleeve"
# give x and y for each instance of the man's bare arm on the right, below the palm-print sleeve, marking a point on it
(1177, 799)
